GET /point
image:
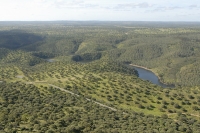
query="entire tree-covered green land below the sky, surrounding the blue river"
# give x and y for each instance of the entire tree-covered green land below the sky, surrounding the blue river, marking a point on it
(87, 85)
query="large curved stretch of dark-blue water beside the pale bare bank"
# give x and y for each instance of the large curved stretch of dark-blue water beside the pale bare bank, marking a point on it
(150, 76)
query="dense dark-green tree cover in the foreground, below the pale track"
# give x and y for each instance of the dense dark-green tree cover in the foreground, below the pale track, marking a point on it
(27, 108)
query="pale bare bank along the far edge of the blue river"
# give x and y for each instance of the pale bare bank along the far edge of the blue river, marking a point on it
(156, 74)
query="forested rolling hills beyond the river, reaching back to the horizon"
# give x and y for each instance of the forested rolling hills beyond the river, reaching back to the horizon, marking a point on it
(171, 52)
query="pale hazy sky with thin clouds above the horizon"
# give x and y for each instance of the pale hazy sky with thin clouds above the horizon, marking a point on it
(111, 10)
